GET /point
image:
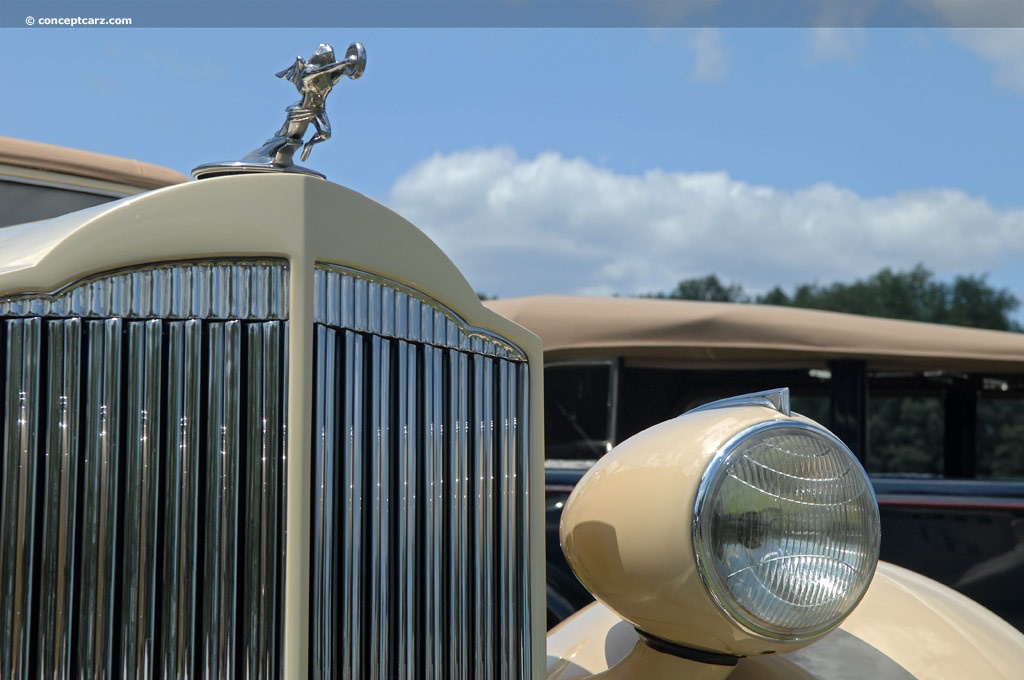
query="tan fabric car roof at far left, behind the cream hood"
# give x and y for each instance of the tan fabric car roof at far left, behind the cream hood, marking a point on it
(23, 154)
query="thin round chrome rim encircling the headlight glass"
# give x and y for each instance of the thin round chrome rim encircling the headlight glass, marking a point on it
(713, 582)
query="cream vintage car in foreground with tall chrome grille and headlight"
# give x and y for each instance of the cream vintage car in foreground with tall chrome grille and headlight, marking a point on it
(259, 426)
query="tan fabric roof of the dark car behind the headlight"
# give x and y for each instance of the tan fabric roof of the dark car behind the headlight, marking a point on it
(724, 333)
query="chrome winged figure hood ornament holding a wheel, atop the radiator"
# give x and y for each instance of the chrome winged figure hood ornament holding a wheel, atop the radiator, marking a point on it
(314, 79)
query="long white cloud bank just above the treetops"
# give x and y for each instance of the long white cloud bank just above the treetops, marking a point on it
(552, 225)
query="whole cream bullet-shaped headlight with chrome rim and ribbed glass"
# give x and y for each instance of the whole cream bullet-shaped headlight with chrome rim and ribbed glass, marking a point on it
(738, 529)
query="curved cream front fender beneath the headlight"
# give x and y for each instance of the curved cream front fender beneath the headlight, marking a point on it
(906, 627)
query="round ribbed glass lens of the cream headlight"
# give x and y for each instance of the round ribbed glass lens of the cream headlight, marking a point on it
(786, 530)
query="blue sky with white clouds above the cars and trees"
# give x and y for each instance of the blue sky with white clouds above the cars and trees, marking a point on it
(595, 161)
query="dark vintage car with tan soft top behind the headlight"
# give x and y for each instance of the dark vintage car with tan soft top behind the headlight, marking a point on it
(934, 413)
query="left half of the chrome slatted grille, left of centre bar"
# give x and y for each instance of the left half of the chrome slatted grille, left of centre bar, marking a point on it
(143, 483)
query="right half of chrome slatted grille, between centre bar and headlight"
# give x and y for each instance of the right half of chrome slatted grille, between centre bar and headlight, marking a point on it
(420, 552)
